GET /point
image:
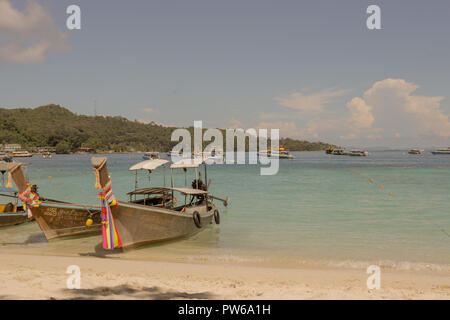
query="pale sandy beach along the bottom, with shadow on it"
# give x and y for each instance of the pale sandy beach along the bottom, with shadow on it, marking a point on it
(30, 276)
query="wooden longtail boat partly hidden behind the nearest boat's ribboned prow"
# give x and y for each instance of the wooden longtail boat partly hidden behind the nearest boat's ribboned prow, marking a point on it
(57, 219)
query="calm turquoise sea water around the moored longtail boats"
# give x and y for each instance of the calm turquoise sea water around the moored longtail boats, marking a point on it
(390, 208)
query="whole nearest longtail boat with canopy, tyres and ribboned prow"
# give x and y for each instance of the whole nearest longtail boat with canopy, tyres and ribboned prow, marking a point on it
(133, 224)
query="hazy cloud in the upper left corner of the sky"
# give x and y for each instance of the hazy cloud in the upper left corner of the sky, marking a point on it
(29, 35)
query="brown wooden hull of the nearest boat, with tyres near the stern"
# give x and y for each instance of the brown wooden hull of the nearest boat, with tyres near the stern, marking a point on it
(139, 225)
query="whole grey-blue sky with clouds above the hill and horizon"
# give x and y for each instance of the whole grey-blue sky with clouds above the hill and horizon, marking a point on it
(311, 68)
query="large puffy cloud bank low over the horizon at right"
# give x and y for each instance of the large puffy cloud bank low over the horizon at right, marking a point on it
(387, 110)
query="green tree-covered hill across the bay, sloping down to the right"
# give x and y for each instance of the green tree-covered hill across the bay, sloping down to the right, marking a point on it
(55, 126)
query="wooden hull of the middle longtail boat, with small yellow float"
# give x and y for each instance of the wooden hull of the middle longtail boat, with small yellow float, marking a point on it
(58, 220)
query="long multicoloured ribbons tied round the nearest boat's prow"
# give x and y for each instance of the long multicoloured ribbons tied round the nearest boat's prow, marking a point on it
(111, 238)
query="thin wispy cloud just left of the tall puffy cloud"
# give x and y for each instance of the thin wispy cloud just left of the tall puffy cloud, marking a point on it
(310, 103)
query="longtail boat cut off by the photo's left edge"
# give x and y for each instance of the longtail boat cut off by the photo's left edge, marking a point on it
(10, 213)
